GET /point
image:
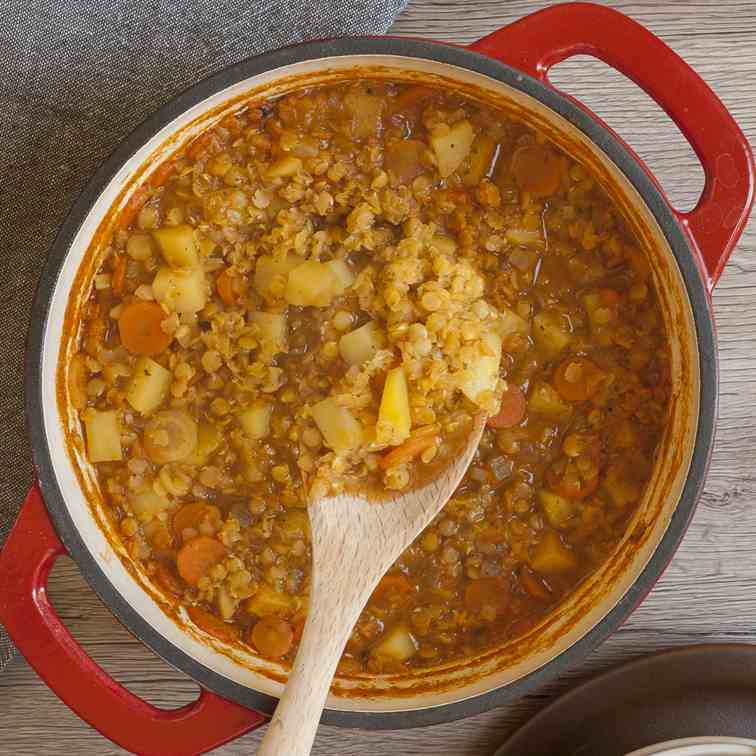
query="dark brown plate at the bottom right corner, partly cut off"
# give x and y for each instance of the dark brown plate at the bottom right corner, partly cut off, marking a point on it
(688, 692)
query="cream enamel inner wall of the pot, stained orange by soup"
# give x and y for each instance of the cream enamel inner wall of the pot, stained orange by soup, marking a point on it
(593, 599)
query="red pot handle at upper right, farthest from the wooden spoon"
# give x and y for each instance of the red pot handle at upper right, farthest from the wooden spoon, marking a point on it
(537, 42)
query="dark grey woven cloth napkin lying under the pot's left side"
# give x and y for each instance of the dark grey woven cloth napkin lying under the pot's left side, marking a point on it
(75, 78)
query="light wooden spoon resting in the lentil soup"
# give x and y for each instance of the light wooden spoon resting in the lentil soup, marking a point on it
(354, 542)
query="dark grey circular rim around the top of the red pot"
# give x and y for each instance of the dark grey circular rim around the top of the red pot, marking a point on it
(614, 149)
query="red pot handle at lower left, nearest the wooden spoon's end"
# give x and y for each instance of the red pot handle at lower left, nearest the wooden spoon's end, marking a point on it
(25, 611)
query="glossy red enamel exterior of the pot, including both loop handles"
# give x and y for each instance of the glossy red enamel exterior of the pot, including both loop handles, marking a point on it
(532, 45)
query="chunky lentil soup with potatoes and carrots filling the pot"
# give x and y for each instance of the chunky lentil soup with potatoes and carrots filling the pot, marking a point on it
(321, 292)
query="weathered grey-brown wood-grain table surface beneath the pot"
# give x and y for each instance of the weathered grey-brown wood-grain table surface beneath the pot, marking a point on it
(706, 595)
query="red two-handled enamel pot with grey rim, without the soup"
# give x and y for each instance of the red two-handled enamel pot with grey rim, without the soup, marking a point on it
(510, 67)
